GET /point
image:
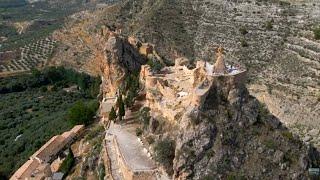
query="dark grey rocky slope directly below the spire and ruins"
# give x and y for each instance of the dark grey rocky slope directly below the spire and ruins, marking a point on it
(233, 136)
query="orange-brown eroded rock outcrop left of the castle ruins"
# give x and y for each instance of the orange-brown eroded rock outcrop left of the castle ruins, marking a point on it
(98, 50)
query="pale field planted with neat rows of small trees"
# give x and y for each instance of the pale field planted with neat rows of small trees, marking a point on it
(31, 56)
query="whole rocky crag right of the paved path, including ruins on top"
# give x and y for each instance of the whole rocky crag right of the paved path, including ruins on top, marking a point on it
(220, 130)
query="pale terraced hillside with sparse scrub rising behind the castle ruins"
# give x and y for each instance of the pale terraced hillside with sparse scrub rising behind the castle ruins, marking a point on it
(273, 39)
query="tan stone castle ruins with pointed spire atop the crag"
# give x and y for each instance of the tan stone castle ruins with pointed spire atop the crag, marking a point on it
(177, 89)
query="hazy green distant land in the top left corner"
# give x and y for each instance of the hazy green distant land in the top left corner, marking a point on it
(45, 16)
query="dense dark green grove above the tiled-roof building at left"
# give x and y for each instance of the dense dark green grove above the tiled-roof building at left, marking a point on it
(35, 107)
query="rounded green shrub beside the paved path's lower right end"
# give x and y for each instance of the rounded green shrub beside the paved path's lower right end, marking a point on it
(164, 152)
